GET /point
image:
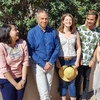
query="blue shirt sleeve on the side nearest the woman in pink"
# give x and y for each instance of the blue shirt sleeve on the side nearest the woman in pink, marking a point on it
(32, 53)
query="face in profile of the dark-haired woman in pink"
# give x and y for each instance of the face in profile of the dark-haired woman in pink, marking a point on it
(14, 33)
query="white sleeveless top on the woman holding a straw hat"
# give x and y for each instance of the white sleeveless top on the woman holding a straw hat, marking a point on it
(67, 46)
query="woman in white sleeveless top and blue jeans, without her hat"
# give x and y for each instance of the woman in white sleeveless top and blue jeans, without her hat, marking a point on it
(69, 54)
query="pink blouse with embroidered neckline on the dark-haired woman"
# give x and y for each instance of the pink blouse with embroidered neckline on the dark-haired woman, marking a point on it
(13, 59)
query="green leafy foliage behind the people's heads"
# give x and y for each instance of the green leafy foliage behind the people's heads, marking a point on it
(22, 12)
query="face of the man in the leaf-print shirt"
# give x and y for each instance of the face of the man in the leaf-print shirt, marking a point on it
(90, 21)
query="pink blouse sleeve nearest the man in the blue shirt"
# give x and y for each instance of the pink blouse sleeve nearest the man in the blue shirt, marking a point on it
(26, 55)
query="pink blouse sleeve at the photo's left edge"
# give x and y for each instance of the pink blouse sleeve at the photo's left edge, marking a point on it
(3, 64)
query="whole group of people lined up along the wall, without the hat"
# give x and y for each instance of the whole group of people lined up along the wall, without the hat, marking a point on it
(50, 48)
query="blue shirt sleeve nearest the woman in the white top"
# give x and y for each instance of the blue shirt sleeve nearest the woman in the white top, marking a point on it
(56, 49)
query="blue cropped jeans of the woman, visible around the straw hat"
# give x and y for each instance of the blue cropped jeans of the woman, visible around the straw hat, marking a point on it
(70, 85)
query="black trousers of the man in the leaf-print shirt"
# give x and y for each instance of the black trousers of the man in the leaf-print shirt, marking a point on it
(83, 75)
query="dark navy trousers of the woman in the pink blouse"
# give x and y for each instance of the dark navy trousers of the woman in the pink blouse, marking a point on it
(9, 92)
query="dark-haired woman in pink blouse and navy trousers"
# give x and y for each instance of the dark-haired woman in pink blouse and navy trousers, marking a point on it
(13, 63)
